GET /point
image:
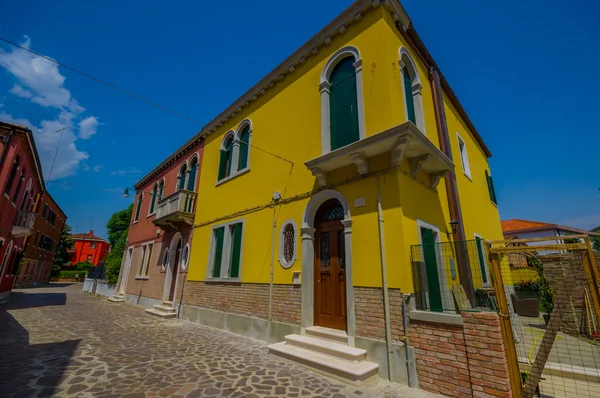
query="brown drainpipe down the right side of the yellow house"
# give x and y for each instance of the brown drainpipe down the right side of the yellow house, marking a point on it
(464, 270)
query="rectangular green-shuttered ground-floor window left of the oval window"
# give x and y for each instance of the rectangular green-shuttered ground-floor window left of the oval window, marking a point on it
(226, 251)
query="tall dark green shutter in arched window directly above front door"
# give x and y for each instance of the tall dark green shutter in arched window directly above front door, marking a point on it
(343, 105)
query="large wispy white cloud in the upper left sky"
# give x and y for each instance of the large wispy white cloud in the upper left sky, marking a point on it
(41, 82)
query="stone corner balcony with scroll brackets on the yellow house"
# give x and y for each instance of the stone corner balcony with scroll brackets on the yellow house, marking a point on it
(404, 141)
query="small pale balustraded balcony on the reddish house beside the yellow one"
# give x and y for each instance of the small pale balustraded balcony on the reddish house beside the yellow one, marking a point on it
(177, 208)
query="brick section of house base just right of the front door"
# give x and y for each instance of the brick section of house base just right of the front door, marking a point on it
(368, 308)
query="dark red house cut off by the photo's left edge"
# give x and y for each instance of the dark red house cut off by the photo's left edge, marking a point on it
(21, 186)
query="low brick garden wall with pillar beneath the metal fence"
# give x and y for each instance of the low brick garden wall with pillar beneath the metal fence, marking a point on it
(462, 361)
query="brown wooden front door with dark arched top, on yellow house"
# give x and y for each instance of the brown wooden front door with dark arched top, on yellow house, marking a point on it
(330, 267)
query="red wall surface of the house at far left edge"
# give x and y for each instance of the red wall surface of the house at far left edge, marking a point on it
(18, 145)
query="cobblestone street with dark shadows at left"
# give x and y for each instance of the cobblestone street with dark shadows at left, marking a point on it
(59, 341)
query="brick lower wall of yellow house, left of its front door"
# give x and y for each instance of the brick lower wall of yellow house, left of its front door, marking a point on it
(247, 299)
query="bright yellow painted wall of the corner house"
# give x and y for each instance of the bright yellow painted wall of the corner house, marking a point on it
(287, 121)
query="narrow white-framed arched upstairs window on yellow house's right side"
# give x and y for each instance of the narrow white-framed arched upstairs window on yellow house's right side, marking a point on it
(411, 86)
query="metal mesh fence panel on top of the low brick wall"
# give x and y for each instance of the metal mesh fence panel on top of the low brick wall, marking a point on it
(452, 276)
